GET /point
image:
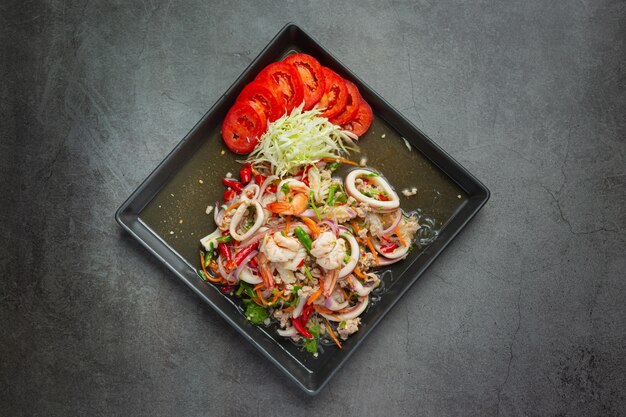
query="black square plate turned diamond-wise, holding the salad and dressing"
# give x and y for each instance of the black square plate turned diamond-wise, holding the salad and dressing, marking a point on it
(166, 214)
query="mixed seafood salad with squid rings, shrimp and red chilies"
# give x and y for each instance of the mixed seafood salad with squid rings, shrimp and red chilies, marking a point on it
(302, 250)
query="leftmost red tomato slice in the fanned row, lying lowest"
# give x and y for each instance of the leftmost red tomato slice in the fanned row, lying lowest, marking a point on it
(243, 127)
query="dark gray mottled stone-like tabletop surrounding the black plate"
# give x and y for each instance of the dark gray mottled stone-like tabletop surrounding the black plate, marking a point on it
(523, 315)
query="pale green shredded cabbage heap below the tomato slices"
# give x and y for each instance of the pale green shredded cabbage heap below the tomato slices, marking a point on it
(301, 138)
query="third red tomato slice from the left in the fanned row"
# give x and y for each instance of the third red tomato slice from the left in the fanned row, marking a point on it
(285, 83)
